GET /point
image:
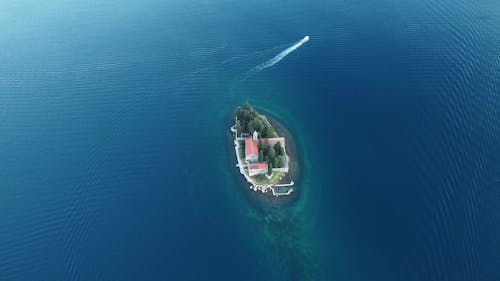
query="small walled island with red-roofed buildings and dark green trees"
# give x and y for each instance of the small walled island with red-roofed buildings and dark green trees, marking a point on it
(260, 152)
